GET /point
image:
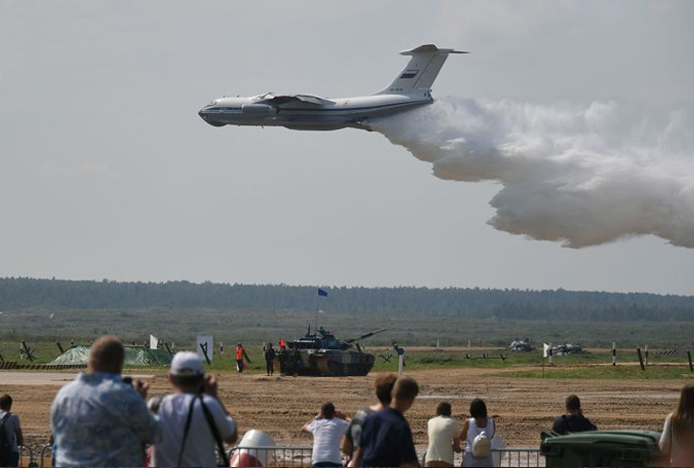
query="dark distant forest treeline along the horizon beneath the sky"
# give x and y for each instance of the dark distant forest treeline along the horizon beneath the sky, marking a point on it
(556, 305)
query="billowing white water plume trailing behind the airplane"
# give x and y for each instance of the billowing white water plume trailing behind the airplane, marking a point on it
(579, 175)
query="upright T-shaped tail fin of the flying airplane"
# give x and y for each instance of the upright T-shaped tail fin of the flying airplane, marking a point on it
(421, 71)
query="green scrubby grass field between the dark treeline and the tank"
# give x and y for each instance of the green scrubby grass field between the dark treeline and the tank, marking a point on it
(254, 327)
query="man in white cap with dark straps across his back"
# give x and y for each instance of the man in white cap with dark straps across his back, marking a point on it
(193, 420)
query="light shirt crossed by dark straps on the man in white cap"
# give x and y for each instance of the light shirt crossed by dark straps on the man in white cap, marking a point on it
(200, 445)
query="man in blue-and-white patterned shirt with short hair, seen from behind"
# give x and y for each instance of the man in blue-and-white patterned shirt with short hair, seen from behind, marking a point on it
(100, 420)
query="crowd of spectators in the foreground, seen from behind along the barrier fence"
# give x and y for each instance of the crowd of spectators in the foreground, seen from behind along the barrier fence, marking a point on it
(104, 419)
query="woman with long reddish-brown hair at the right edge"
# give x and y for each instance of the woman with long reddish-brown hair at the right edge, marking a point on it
(677, 439)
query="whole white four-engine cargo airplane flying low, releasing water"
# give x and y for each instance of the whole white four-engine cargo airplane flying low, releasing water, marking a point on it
(411, 89)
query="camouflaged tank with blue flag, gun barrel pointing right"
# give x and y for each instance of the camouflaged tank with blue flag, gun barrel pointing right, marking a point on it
(321, 354)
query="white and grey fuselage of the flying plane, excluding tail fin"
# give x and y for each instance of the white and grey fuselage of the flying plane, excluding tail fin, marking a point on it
(316, 114)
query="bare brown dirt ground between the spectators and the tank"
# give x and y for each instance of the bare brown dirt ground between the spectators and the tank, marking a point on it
(281, 405)
